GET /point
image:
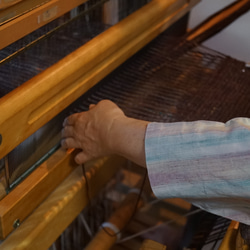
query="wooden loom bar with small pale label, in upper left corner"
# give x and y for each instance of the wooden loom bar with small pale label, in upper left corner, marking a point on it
(25, 24)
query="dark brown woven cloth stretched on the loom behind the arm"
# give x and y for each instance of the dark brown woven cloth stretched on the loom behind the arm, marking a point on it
(171, 80)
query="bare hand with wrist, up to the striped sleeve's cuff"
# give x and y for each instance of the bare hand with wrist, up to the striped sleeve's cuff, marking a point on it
(105, 130)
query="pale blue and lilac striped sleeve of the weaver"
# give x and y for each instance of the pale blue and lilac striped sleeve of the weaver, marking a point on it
(204, 162)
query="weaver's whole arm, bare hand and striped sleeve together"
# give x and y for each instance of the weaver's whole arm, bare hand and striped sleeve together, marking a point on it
(207, 163)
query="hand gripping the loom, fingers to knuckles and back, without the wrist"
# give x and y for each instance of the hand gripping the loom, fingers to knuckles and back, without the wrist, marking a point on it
(91, 131)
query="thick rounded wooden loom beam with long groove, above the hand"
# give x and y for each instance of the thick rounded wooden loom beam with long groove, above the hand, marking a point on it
(33, 104)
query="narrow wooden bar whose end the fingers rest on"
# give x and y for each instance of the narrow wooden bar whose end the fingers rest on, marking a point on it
(24, 198)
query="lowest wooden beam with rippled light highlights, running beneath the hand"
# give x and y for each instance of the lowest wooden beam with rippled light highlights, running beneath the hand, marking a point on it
(50, 219)
